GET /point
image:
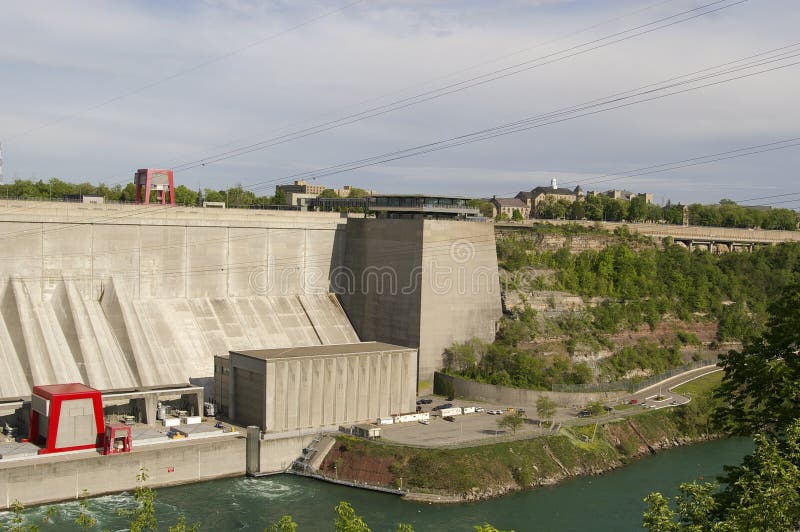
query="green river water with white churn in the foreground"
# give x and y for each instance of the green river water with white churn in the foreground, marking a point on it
(608, 502)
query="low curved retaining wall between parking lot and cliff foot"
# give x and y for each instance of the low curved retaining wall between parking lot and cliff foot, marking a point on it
(503, 395)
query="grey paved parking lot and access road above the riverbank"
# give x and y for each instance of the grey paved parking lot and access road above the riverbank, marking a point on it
(481, 428)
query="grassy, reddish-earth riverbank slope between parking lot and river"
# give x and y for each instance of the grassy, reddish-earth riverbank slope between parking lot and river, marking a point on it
(477, 473)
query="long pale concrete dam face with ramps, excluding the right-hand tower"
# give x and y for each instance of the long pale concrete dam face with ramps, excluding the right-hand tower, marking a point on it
(121, 296)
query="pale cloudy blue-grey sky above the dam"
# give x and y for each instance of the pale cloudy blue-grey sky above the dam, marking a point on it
(93, 90)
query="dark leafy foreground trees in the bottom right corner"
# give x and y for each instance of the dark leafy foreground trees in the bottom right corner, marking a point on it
(760, 393)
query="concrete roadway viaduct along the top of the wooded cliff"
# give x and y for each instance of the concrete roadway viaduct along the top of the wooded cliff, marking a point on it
(714, 239)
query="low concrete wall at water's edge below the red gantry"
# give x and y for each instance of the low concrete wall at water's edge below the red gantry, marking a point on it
(66, 476)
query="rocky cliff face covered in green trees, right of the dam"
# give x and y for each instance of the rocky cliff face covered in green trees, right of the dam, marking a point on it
(628, 285)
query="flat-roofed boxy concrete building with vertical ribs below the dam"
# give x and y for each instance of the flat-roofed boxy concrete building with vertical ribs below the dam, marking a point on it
(323, 385)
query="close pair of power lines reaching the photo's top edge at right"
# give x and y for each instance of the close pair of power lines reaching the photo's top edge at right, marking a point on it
(482, 79)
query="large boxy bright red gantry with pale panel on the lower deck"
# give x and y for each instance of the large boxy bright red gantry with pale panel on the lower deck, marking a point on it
(66, 417)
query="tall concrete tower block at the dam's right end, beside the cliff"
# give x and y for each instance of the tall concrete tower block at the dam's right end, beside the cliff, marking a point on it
(420, 283)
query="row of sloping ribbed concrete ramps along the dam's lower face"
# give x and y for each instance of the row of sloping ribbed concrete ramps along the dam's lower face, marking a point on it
(119, 341)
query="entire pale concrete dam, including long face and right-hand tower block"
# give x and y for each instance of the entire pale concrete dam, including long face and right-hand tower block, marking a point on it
(123, 296)
